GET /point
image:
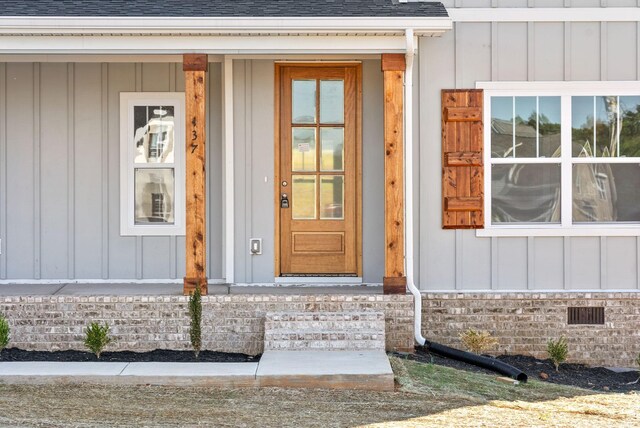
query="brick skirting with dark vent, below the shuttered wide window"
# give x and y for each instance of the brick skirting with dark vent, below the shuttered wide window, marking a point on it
(522, 323)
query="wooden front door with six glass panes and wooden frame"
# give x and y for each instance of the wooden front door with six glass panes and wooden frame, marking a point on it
(318, 181)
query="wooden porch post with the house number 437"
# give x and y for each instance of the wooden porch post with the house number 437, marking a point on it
(195, 70)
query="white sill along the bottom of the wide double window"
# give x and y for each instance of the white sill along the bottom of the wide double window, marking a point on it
(519, 231)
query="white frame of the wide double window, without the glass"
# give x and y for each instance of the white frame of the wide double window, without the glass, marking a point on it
(564, 90)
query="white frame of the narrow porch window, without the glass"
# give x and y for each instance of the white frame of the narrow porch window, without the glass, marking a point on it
(128, 100)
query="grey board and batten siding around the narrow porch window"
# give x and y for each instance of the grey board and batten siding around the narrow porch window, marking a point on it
(59, 173)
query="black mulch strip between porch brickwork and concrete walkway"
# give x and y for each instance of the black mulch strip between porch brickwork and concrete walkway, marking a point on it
(159, 355)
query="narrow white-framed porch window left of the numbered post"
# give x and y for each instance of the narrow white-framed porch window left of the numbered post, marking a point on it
(152, 164)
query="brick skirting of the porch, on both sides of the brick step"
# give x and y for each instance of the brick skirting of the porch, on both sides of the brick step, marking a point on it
(231, 323)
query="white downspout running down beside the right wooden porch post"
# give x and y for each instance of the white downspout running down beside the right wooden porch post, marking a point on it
(408, 189)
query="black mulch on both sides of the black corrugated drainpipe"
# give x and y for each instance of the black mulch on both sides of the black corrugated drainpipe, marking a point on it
(595, 378)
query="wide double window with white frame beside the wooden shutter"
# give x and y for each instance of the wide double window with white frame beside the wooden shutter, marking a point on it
(562, 159)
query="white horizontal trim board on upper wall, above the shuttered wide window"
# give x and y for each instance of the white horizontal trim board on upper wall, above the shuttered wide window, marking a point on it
(551, 14)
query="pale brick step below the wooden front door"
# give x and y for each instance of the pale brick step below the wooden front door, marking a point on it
(335, 331)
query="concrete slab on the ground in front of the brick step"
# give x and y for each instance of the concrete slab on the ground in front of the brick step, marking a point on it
(364, 370)
